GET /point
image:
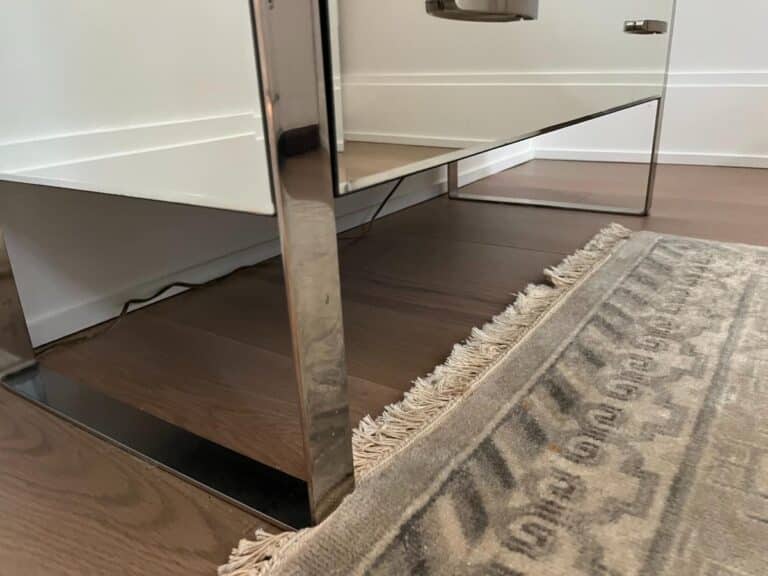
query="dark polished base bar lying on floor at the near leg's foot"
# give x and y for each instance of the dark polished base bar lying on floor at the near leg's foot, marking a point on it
(271, 494)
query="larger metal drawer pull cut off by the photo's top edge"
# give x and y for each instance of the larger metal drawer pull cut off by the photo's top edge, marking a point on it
(484, 10)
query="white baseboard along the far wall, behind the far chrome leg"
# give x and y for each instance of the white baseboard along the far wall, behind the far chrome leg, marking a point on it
(688, 158)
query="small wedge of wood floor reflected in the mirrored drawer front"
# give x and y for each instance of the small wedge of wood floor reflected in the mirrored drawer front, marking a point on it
(361, 159)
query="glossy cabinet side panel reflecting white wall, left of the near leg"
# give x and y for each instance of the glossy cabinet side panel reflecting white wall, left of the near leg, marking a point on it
(127, 97)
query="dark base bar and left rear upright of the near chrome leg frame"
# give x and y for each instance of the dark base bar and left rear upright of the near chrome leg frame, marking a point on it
(279, 498)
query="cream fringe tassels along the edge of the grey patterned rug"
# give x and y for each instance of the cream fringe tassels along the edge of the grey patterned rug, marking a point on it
(374, 442)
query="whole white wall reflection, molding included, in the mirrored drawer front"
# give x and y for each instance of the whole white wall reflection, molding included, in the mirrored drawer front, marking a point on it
(412, 78)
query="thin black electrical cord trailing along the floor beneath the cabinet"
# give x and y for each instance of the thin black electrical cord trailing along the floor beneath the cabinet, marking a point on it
(111, 324)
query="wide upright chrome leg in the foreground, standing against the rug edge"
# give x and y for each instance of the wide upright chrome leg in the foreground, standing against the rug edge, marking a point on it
(298, 132)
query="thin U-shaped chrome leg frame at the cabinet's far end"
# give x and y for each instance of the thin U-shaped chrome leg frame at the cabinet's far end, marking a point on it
(455, 191)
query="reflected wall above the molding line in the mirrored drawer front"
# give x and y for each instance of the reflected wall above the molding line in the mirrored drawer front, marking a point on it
(398, 37)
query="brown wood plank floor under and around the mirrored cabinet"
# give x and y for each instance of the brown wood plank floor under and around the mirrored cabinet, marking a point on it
(217, 361)
